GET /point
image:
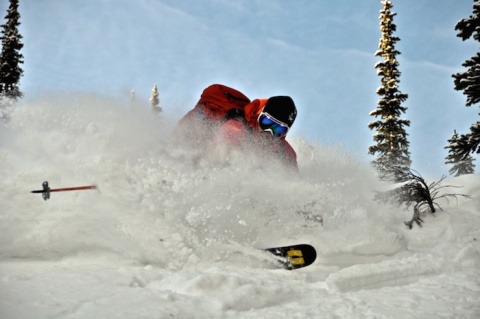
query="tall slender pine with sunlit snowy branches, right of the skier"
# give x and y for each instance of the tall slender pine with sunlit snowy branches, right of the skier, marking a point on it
(391, 137)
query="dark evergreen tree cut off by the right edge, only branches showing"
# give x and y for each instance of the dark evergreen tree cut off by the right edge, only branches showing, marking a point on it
(469, 82)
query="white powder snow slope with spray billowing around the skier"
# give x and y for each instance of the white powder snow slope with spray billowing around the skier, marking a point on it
(168, 236)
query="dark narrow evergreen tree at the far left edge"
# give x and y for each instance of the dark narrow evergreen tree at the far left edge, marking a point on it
(11, 58)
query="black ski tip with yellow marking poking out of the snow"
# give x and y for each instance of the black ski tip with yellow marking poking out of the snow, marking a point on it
(294, 256)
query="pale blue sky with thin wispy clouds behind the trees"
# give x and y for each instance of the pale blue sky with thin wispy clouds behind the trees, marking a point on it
(320, 52)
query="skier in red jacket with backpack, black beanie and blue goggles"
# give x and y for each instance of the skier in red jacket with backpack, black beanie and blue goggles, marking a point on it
(225, 120)
